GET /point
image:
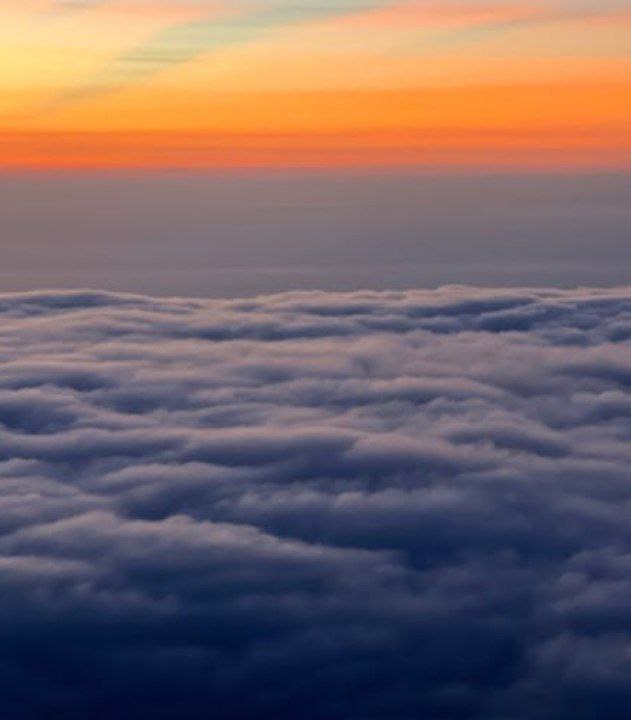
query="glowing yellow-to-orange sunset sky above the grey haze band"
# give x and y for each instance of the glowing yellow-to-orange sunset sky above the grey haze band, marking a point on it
(316, 83)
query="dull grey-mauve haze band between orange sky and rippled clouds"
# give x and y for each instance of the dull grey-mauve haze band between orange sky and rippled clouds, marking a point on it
(226, 236)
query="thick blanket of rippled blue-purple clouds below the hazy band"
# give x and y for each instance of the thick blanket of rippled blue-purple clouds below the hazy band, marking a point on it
(317, 506)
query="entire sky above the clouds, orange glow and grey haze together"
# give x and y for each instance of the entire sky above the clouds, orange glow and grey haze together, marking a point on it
(230, 147)
